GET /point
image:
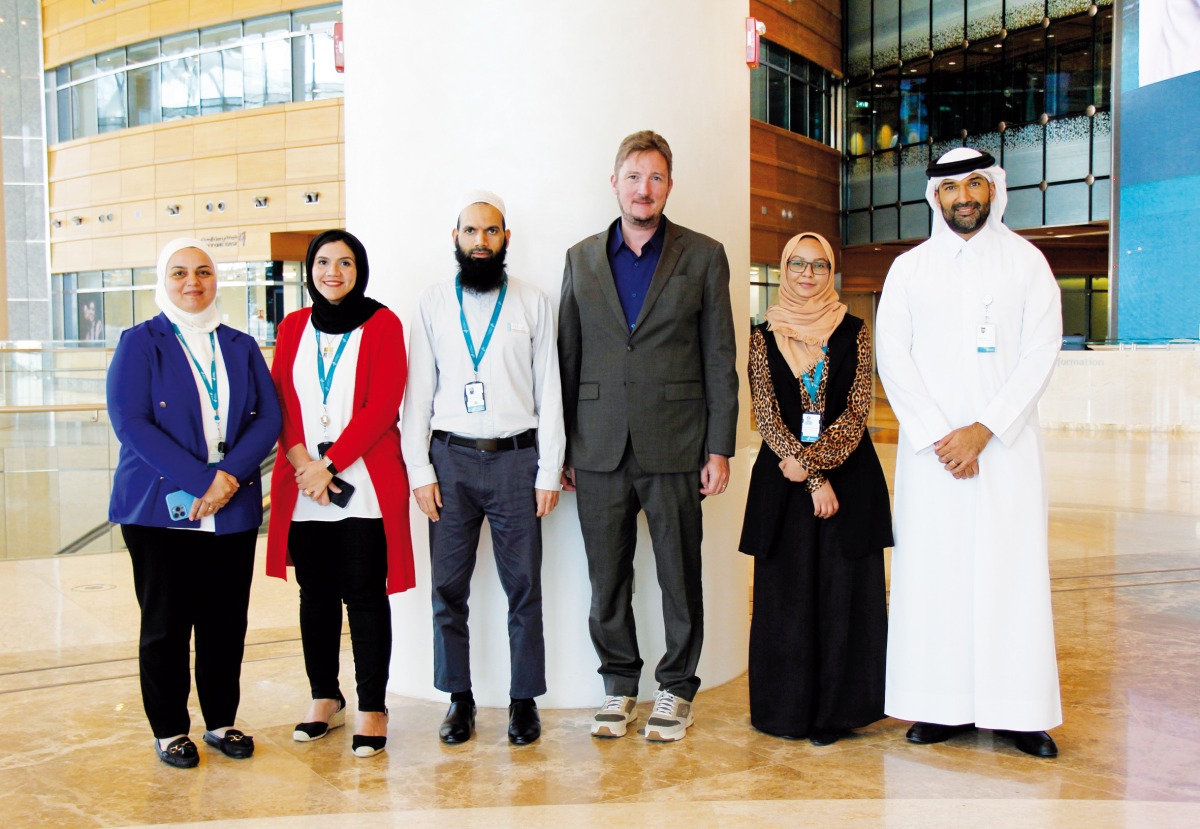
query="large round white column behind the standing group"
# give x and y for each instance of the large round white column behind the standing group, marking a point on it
(531, 100)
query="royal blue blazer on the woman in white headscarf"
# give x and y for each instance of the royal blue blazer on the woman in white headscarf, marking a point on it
(155, 411)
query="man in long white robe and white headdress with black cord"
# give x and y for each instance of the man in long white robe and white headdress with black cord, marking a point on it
(969, 332)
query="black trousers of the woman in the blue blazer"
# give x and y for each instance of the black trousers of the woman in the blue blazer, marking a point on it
(185, 581)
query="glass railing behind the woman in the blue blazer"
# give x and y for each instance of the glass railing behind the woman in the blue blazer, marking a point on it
(57, 452)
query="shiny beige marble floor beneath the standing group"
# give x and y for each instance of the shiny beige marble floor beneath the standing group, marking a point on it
(75, 749)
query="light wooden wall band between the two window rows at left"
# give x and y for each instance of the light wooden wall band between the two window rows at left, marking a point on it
(135, 175)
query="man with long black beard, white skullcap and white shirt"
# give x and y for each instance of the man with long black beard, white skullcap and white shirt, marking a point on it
(483, 437)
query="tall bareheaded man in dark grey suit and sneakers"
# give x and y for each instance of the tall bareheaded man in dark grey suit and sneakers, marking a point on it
(651, 397)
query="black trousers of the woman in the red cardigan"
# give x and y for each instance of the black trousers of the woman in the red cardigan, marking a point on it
(344, 561)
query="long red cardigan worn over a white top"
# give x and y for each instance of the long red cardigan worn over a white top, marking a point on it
(373, 435)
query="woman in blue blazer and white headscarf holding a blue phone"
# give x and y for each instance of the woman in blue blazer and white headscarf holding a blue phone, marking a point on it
(195, 410)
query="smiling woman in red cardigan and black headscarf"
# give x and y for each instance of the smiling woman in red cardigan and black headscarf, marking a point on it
(340, 506)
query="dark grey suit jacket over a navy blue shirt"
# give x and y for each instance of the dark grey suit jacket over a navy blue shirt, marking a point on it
(671, 386)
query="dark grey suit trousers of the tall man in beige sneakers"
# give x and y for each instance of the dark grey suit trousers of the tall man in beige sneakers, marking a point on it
(609, 504)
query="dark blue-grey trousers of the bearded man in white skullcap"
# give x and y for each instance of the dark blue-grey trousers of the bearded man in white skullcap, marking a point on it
(500, 486)
